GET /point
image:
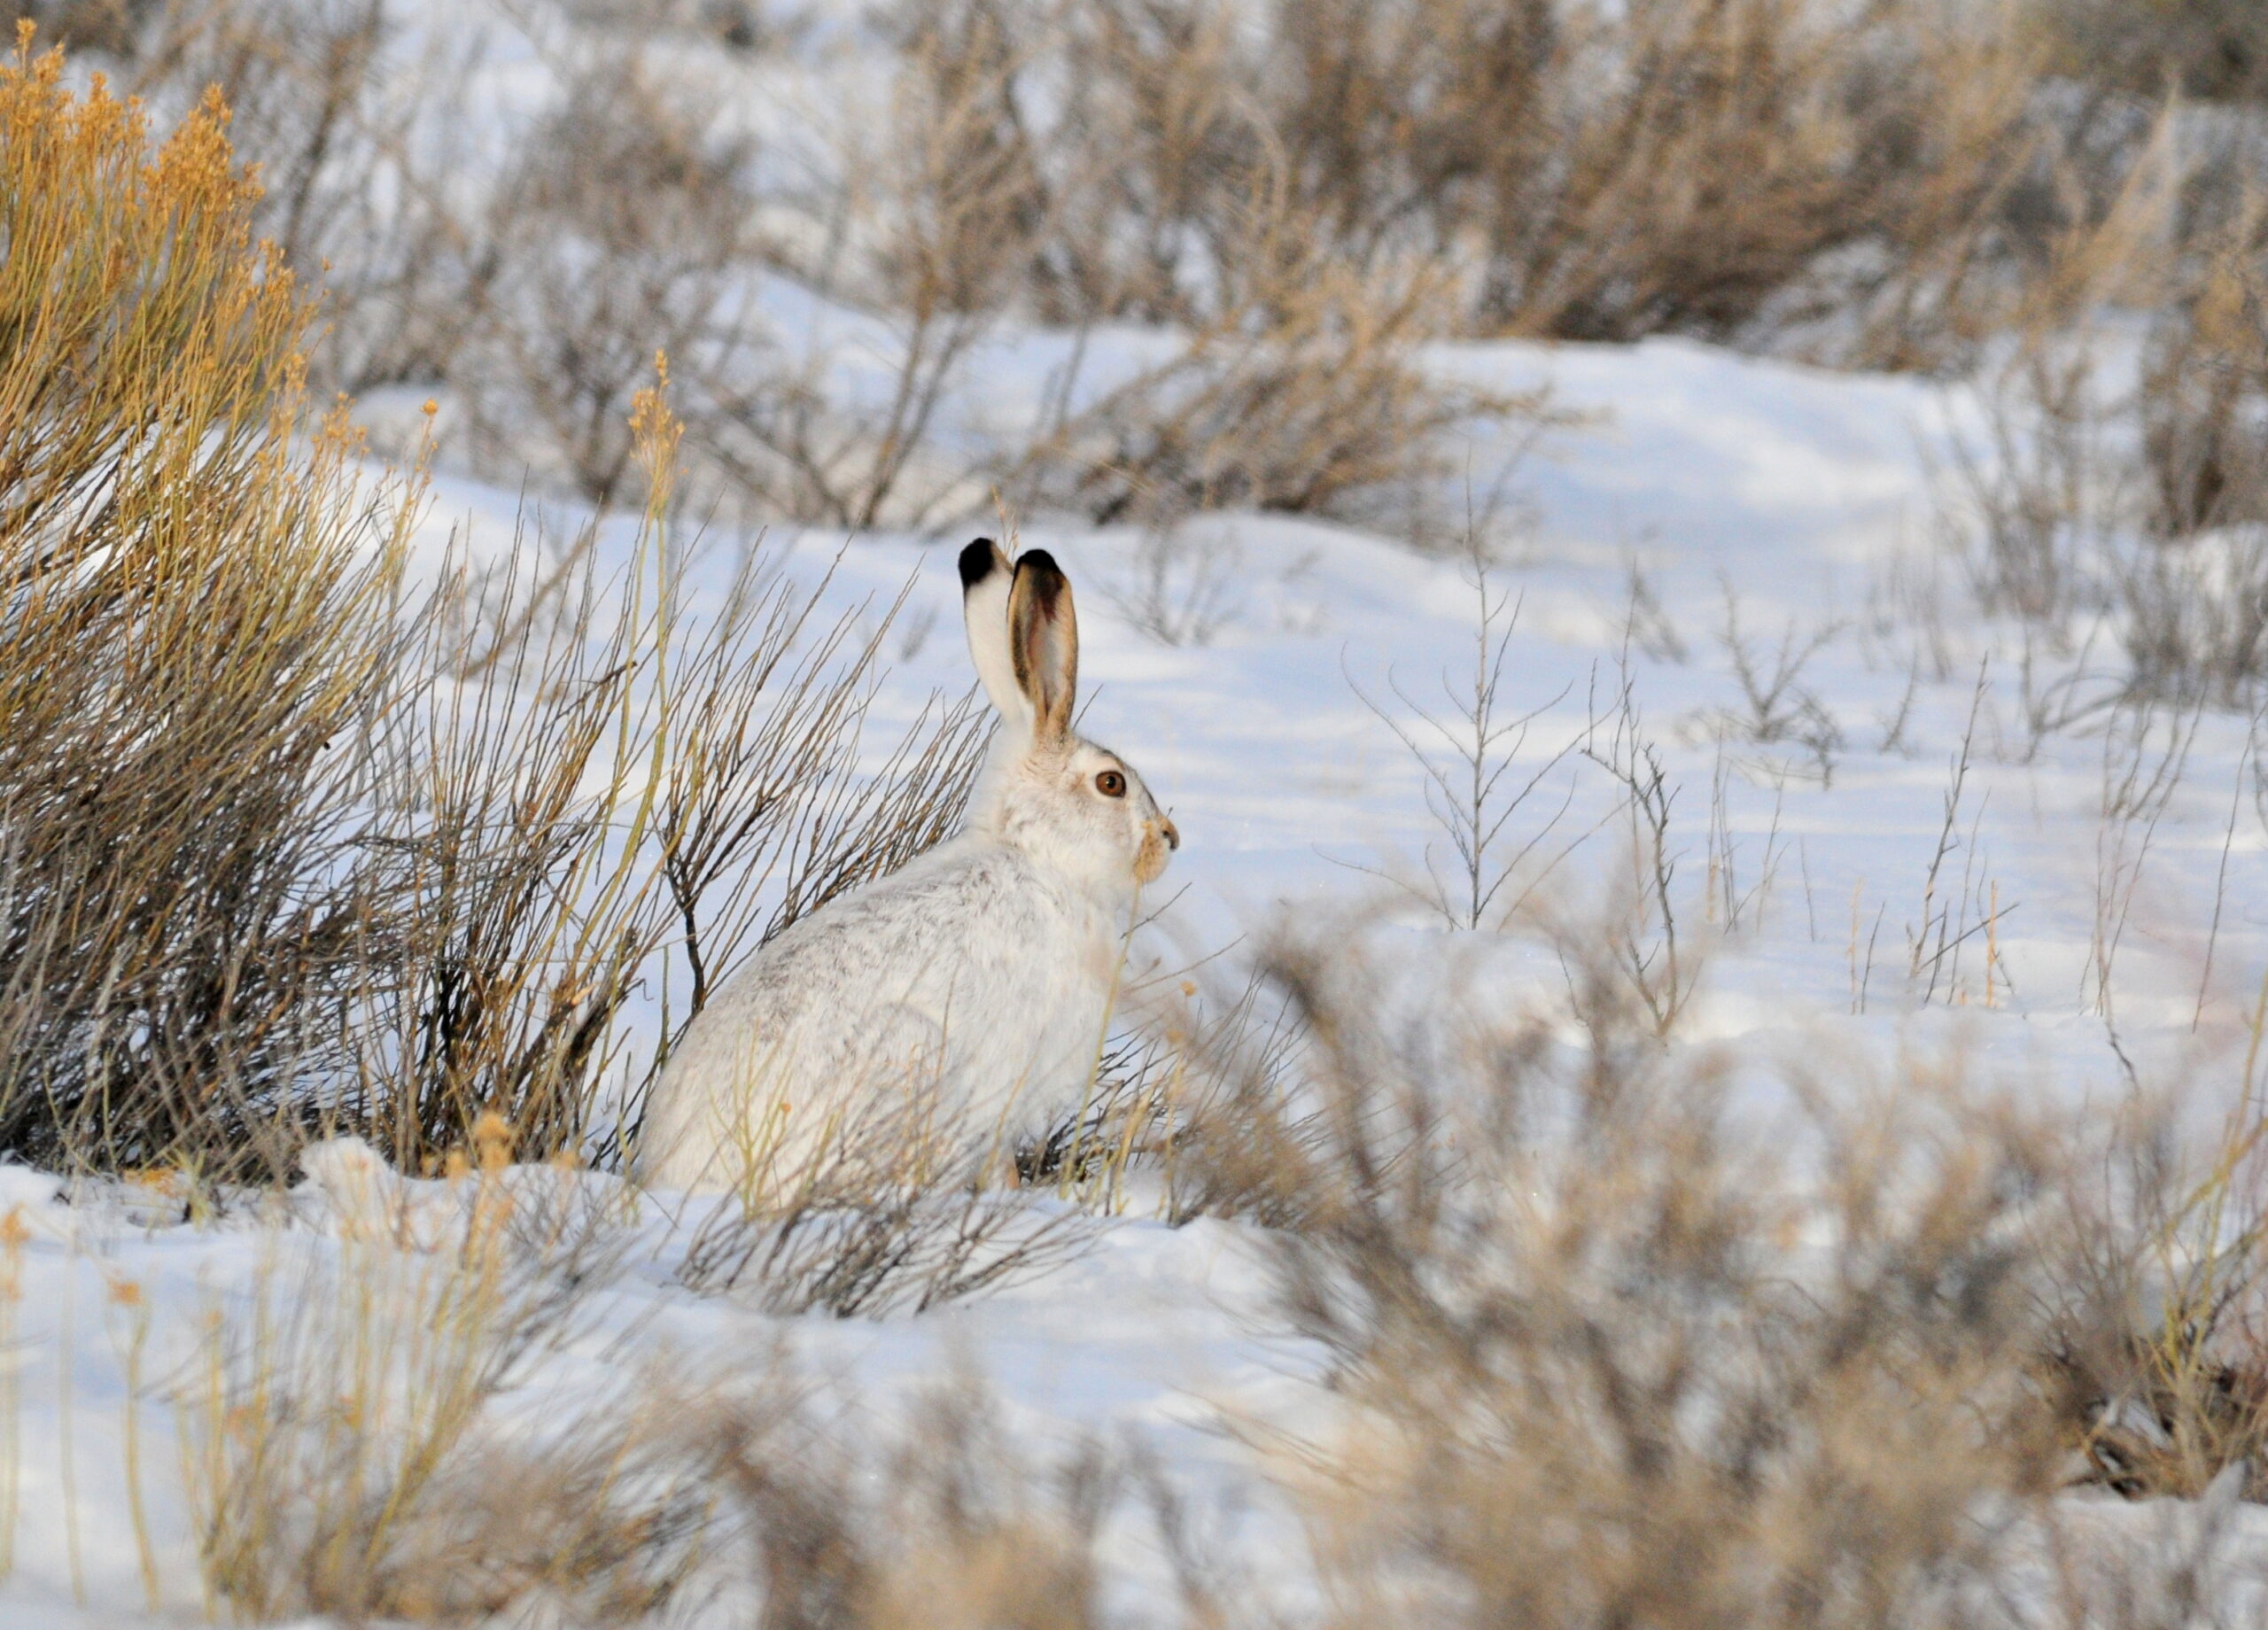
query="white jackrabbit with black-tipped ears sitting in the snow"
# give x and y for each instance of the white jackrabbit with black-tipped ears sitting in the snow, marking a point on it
(958, 1003)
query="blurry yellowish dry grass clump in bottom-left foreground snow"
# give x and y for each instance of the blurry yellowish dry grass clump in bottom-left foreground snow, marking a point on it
(344, 1438)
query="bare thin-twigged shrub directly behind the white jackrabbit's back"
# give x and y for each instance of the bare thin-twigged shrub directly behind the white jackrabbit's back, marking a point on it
(589, 786)
